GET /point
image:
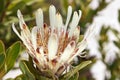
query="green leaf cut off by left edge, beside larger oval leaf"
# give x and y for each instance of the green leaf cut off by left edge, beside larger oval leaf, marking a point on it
(2, 54)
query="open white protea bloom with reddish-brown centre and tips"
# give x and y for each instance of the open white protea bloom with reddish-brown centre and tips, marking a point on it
(53, 47)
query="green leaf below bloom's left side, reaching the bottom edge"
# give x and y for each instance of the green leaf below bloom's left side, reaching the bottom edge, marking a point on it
(26, 71)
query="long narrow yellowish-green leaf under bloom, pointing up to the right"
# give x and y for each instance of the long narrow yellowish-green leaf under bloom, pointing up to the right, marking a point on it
(72, 72)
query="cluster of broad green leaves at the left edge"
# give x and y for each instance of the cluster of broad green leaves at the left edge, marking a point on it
(8, 57)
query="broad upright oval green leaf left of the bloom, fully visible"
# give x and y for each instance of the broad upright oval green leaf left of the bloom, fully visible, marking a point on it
(12, 54)
